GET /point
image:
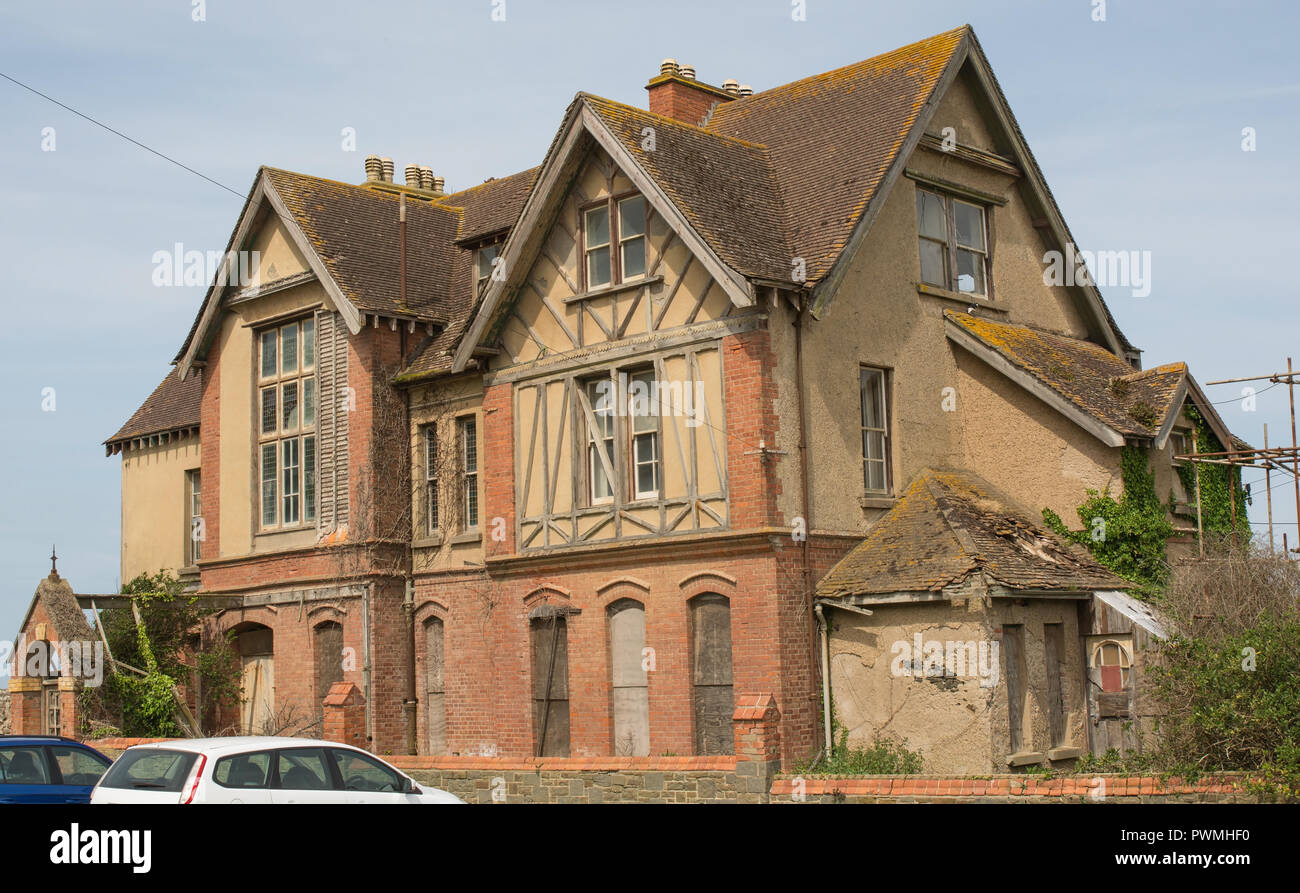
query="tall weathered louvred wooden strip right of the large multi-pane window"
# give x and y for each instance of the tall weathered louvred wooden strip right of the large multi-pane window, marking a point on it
(331, 421)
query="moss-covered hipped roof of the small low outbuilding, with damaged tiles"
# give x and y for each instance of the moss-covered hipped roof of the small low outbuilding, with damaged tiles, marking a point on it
(950, 527)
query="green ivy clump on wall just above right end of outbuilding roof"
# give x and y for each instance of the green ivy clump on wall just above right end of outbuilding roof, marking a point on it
(1128, 535)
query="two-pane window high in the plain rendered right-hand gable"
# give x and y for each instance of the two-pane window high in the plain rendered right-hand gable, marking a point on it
(954, 244)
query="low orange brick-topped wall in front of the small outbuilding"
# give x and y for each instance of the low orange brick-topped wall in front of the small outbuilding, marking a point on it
(1006, 786)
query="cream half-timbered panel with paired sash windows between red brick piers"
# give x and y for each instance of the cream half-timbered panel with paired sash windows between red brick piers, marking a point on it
(626, 449)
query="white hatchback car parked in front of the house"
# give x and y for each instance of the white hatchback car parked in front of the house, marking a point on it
(258, 770)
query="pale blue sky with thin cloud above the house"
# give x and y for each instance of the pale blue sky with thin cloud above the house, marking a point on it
(1137, 123)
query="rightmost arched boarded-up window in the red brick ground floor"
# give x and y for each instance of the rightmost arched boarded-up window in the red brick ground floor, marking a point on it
(712, 674)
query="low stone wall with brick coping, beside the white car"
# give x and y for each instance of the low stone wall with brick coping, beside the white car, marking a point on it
(606, 781)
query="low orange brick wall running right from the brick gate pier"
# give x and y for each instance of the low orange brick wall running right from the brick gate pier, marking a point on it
(1227, 788)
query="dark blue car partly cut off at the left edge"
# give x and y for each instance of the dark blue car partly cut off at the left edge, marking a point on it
(40, 769)
